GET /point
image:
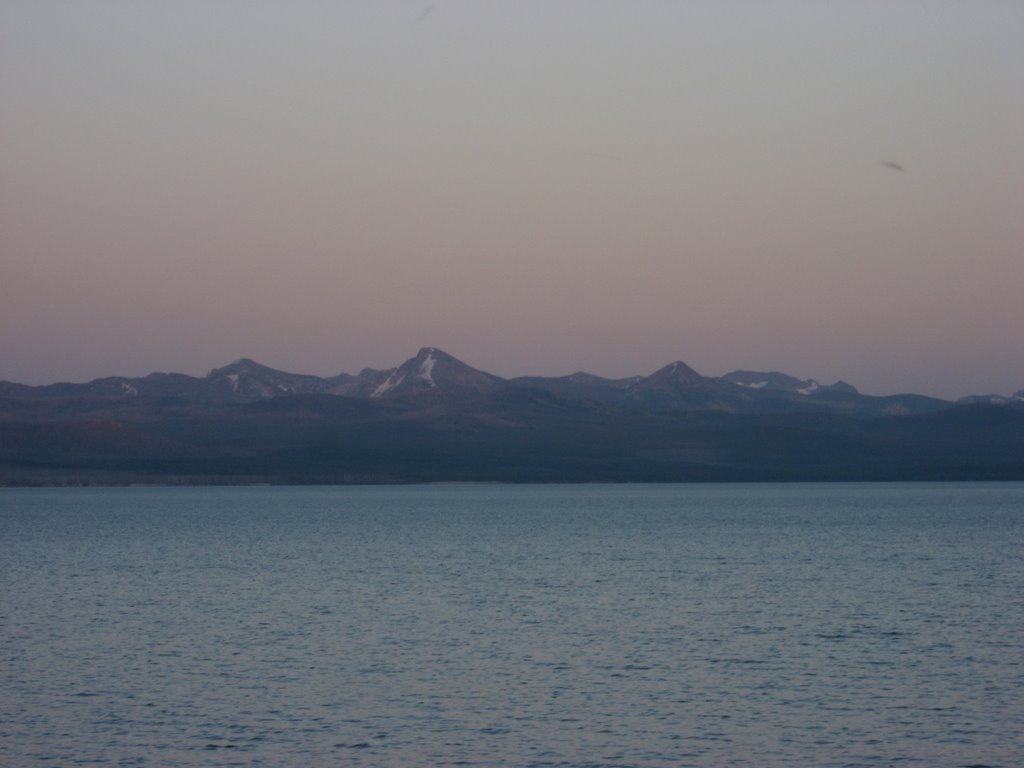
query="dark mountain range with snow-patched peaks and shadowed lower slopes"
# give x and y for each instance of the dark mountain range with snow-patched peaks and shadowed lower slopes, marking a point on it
(435, 418)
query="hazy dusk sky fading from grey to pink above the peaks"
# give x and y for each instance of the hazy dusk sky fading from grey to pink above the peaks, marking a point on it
(538, 188)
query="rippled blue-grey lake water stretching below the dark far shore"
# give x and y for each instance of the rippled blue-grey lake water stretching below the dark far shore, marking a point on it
(869, 625)
